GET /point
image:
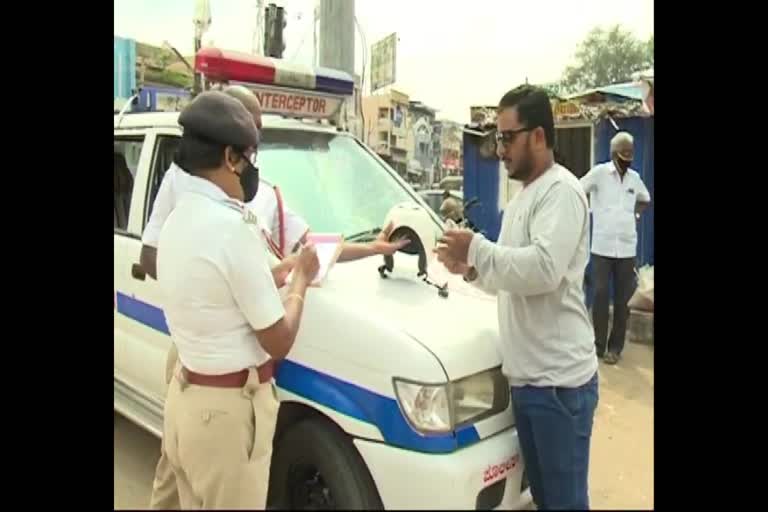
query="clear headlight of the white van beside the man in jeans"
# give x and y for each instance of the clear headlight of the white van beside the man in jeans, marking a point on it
(436, 408)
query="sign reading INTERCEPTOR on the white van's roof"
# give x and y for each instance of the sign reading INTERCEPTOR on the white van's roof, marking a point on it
(295, 103)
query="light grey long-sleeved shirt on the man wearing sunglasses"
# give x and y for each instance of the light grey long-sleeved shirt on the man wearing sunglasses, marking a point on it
(537, 271)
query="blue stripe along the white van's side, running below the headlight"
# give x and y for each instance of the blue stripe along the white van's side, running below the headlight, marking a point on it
(341, 396)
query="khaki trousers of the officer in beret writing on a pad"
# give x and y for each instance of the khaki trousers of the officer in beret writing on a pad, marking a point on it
(217, 445)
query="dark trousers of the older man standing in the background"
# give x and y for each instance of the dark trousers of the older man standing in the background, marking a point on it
(622, 270)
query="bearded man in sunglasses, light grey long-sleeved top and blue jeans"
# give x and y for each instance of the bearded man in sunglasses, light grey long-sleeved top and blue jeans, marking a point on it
(537, 270)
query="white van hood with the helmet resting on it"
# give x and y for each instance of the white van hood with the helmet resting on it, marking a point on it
(461, 330)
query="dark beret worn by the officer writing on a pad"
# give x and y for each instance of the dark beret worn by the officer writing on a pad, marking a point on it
(220, 118)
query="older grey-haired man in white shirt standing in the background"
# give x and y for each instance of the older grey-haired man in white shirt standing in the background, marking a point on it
(617, 196)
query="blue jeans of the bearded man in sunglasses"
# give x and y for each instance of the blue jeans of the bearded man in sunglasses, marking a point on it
(554, 426)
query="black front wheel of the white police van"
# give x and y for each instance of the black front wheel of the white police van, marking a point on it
(316, 467)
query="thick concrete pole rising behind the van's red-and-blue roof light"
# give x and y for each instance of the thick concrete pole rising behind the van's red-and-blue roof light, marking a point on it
(337, 35)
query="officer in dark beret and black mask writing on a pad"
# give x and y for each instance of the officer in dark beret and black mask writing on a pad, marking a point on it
(224, 314)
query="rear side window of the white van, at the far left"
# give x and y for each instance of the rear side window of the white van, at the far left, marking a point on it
(127, 151)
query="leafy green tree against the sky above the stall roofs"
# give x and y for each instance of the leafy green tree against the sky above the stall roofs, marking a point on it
(607, 57)
